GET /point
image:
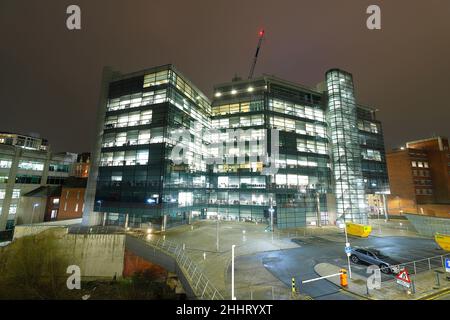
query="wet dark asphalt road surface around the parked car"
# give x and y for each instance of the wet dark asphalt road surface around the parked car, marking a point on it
(300, 262)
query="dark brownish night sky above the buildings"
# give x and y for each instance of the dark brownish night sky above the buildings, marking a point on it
(50, 76)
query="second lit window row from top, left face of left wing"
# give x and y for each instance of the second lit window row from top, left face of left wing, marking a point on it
(137, 99)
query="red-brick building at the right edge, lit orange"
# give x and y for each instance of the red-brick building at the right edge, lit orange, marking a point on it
(419, 176)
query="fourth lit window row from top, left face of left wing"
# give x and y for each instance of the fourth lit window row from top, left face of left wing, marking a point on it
(133, 137)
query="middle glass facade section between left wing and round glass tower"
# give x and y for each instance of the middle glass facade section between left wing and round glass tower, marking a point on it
(298, 189)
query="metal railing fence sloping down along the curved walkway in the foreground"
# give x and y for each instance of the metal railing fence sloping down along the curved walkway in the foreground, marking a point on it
(200, 284)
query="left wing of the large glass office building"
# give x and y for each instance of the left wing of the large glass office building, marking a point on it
(138, 183)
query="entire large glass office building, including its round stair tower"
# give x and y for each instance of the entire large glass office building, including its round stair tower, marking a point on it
(329, 151)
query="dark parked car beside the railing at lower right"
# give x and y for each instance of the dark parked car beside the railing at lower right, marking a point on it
(375, 257)
